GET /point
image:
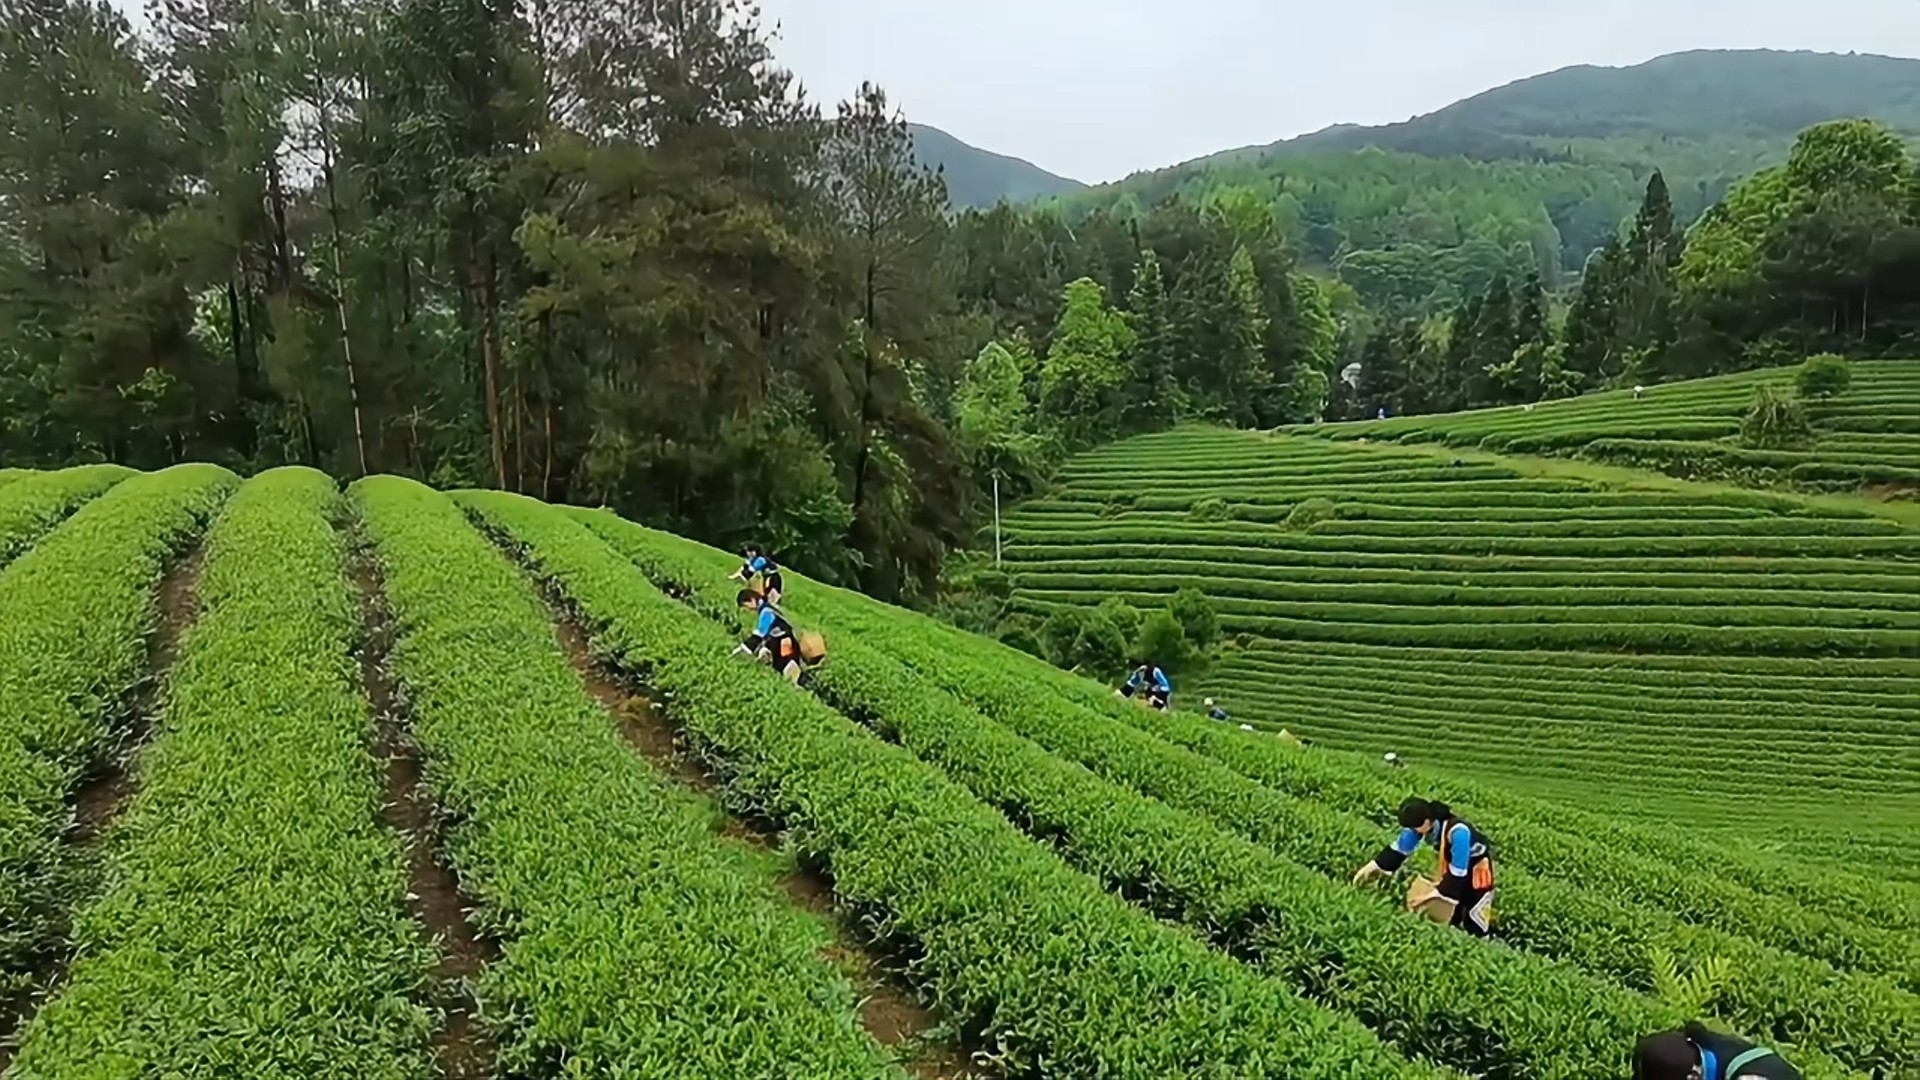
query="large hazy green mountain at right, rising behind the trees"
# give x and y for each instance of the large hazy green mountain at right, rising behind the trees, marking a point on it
(1533, 176)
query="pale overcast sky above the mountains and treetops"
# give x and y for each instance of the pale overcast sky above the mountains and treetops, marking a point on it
(1097, 89)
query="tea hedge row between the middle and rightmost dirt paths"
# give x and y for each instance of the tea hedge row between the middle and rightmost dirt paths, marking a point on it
(635, 941)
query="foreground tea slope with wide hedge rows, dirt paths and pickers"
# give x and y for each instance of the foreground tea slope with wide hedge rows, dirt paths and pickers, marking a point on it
(391, 783)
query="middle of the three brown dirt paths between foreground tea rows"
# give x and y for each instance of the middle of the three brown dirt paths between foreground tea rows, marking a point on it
(462, 1046)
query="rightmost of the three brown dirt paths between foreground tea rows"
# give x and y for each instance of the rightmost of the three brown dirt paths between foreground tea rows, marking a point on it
(888, 1008)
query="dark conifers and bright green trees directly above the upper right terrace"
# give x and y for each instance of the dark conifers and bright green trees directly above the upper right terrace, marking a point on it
(1813, 257)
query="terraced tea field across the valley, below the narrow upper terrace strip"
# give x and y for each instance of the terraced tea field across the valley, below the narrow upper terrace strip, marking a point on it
(1708, 656)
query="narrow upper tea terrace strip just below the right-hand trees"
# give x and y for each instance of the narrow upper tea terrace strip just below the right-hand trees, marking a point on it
(1869, 437)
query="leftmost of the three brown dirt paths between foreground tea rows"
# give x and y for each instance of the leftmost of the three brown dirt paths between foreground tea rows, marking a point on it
(103, 795)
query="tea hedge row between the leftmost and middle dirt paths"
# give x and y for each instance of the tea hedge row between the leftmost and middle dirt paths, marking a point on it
(254, 923)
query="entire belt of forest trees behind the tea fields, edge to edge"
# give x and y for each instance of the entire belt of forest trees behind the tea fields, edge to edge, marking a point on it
(610, 253)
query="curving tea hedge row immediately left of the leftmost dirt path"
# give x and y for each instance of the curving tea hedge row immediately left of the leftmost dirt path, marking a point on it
(80, 608)
